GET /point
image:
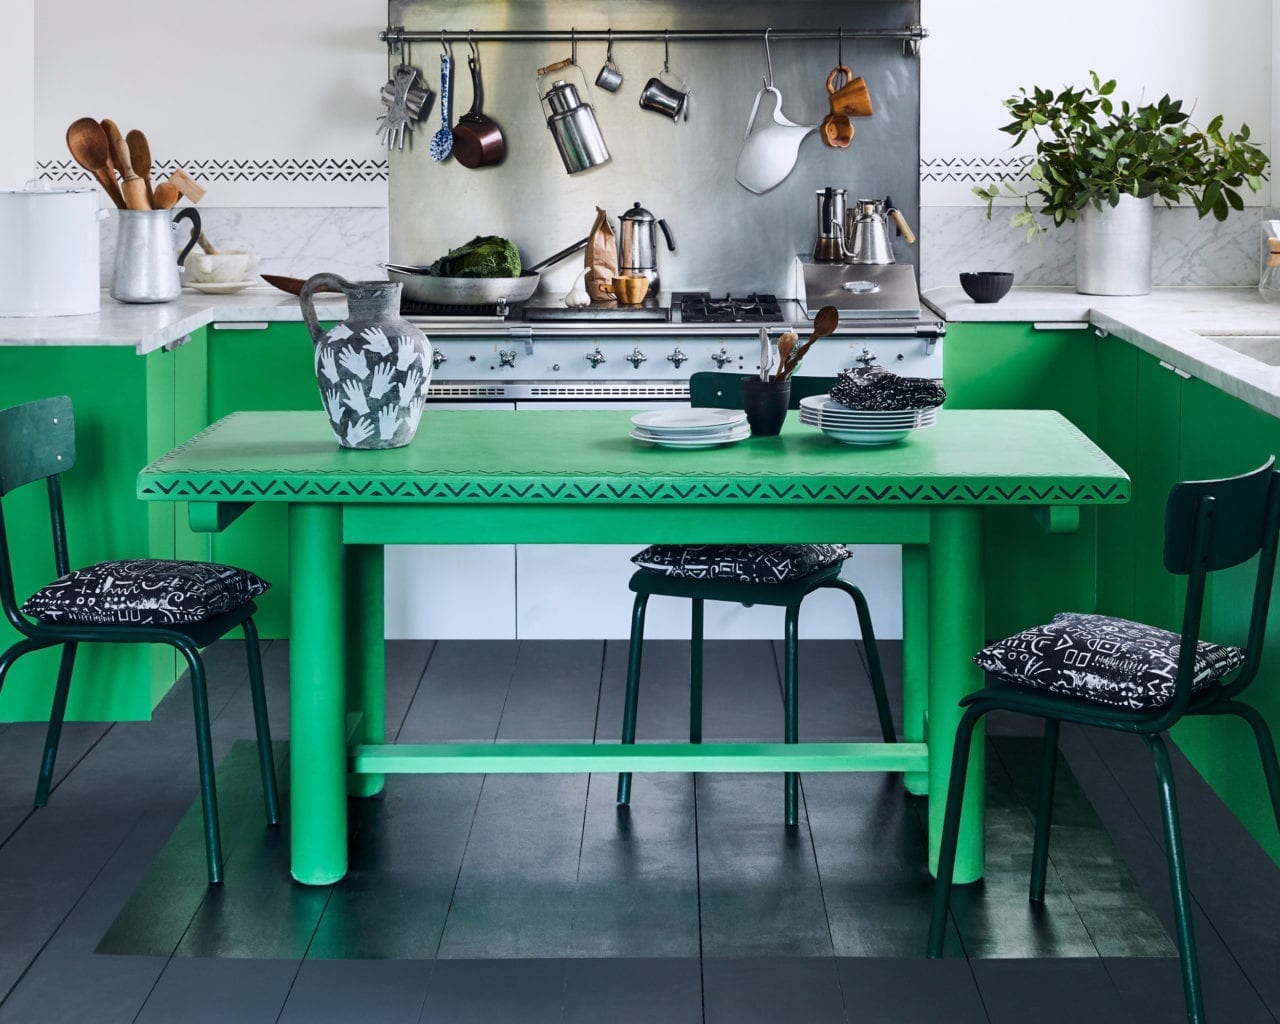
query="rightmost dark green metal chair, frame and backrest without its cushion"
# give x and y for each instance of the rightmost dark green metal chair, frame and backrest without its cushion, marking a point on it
(1210, 525)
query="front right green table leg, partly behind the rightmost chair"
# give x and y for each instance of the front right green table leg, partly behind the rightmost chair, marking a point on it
(956, 636)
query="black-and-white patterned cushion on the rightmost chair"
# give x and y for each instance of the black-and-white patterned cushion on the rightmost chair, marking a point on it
(1104, 660)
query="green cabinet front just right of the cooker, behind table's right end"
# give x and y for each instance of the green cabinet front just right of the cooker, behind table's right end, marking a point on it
(1030, 574)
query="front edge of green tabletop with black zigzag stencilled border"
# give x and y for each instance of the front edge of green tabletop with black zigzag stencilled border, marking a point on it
(552, 491)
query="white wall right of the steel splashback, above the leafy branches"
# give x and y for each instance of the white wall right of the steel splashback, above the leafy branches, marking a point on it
(1214, 56)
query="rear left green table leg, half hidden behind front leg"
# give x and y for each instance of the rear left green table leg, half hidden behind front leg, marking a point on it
(367, 661)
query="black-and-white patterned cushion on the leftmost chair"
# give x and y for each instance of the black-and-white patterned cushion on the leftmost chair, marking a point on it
(144, 592)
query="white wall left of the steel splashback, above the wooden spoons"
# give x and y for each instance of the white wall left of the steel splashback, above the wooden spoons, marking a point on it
(266, 103)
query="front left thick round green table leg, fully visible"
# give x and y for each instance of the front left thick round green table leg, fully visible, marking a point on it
(318, 735)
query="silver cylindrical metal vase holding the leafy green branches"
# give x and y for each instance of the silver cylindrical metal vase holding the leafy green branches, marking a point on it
(1113, 249)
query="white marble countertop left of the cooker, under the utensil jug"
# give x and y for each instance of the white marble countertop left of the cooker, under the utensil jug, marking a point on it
(152, 326)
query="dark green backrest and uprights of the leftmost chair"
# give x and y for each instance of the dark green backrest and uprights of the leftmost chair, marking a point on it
(38, 442)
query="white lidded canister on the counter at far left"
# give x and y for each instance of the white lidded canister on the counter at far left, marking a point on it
(49, 252)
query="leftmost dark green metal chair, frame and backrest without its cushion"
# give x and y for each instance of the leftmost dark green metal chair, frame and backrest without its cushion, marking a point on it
(38, 442)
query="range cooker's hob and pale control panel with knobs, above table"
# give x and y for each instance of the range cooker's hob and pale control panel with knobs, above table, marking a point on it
(552, 354)
